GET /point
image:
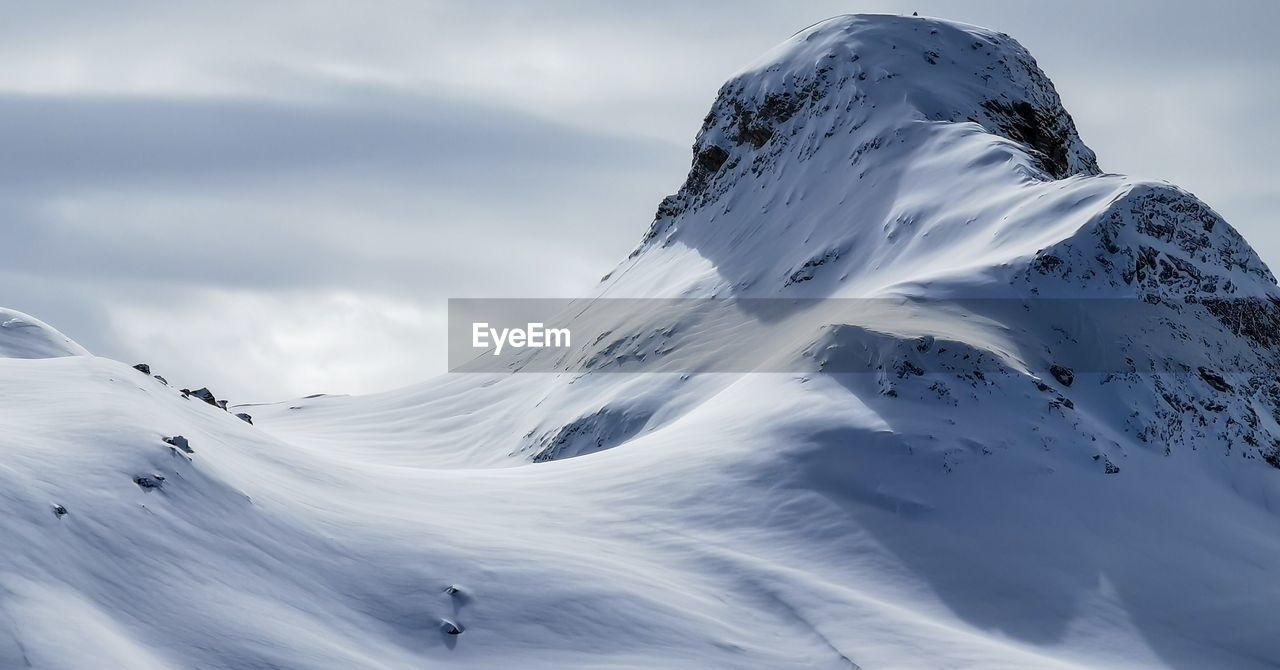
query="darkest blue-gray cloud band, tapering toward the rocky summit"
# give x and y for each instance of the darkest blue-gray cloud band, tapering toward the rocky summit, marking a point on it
(63, 143)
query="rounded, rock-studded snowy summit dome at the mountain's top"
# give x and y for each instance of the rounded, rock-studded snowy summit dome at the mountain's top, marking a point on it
(870, 79)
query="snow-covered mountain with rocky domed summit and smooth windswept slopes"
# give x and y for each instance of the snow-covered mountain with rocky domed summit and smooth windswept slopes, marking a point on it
(977, 499)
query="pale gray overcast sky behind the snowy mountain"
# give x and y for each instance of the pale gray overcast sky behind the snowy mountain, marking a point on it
(277, 199)
